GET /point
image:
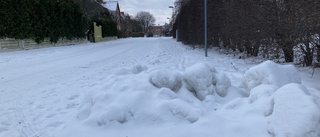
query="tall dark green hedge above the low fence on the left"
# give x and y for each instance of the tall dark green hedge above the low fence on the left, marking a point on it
(40, 19)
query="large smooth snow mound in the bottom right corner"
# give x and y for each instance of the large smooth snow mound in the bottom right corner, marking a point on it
(295, 113)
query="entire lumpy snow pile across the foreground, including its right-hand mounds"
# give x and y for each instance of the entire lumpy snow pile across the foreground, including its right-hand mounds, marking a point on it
(160, 96)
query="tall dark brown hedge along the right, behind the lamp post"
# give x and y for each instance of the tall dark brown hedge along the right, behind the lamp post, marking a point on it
(267, 28)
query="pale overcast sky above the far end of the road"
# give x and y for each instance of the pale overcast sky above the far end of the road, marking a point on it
(158, 8)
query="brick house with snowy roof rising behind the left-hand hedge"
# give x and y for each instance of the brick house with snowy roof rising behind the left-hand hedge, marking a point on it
(114, 9)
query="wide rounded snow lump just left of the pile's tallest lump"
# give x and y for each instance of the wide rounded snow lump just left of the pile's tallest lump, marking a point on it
(165, 78)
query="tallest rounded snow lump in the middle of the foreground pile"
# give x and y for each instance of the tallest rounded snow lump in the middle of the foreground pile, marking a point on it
(199, 79)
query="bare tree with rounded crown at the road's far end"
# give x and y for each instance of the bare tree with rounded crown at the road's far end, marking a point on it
(146, 19)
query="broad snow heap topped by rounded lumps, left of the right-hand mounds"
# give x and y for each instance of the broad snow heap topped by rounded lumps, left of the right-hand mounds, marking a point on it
(156, 96)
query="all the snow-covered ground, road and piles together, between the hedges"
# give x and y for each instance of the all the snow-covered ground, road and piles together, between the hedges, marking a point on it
(153, 87)
